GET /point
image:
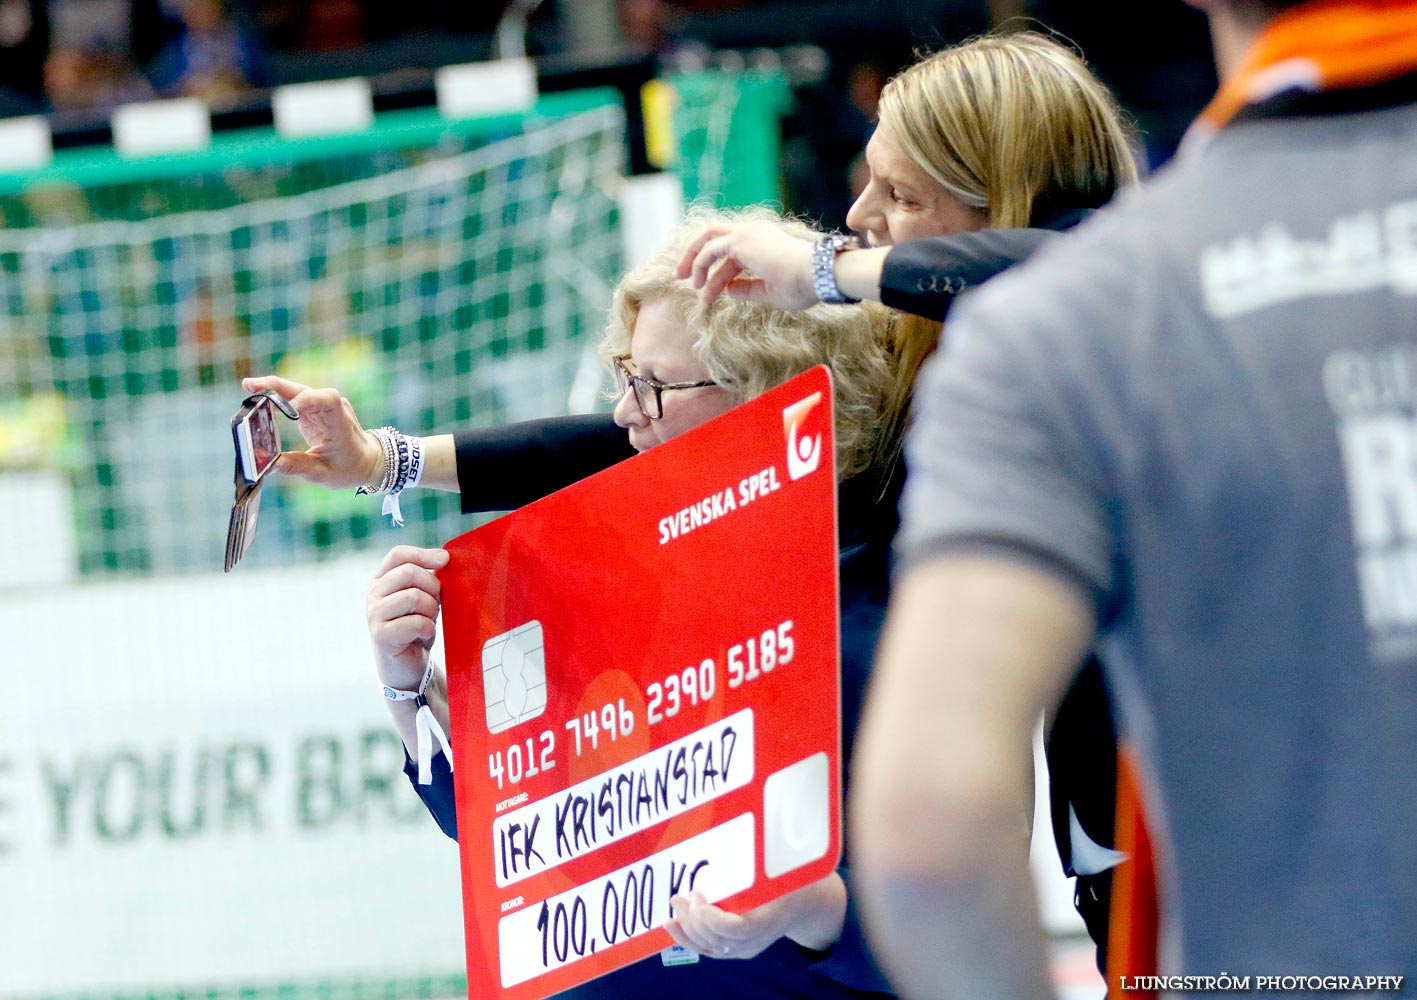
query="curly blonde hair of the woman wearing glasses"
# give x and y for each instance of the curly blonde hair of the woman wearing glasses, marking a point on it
(749, 348)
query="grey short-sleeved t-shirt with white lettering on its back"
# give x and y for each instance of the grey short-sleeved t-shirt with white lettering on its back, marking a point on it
(1202, 409)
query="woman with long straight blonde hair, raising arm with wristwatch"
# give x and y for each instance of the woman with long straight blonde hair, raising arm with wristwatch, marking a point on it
(983, 152)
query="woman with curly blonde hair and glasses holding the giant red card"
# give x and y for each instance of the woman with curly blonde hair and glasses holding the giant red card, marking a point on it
(678, 363)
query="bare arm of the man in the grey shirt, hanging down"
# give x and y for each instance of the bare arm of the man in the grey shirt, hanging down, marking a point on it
(976, 647)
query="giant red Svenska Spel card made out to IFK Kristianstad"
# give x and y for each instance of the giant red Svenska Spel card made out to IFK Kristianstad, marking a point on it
(645, 696)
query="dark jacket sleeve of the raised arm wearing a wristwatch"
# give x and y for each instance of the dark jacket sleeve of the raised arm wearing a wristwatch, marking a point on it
(925, 275)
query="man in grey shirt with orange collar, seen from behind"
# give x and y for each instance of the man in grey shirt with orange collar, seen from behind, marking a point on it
(1192, 430)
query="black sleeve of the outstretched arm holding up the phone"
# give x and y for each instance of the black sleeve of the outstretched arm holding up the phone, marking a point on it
(509, 467)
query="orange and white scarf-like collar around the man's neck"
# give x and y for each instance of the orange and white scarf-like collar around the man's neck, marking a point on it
(1323, 46)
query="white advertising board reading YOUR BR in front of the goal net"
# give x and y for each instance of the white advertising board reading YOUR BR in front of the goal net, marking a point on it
(201, 788)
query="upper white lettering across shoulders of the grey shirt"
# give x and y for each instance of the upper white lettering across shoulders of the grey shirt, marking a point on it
(1365, 251)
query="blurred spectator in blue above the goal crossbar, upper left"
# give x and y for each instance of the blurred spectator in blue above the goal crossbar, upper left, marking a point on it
(212, 57)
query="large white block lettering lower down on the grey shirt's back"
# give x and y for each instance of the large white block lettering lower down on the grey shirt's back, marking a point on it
(1375, 400)
